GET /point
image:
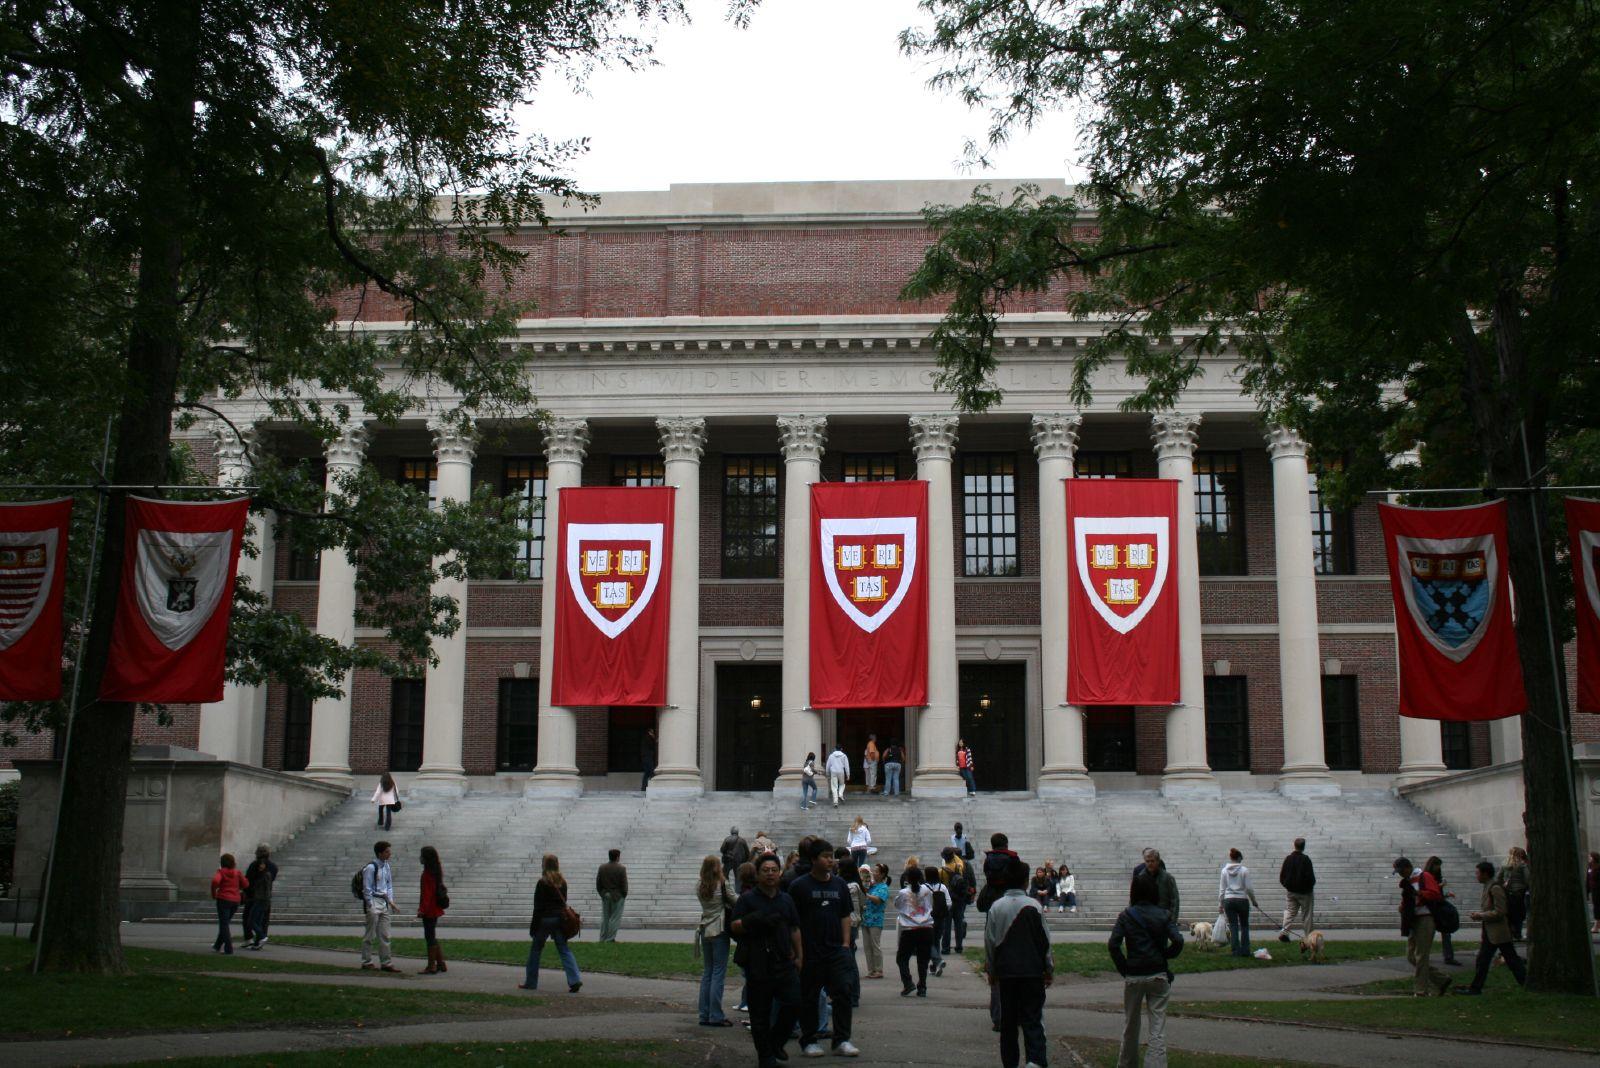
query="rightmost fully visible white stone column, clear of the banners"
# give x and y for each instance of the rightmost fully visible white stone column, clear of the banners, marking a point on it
(1300, 655)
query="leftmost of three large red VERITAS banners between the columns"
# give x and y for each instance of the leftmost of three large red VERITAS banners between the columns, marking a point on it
(614, 592)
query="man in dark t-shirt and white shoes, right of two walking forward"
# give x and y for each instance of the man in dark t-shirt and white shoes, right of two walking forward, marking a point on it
(823, 903)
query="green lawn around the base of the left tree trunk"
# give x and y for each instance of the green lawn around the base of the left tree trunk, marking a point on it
(167, 994)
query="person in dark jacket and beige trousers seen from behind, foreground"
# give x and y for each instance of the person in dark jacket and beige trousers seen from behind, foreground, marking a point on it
(1153, 939)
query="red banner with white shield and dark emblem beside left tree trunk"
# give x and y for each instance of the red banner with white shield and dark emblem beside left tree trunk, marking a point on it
(170, 639)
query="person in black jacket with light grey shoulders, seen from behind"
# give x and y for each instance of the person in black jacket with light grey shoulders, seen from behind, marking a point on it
(1020, 965)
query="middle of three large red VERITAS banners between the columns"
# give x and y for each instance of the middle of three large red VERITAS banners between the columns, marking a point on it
(870, 596)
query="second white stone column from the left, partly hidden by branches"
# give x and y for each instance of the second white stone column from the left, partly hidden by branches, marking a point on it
(330, 717)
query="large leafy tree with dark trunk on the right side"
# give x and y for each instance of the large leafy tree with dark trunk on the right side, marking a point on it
(1385, 213)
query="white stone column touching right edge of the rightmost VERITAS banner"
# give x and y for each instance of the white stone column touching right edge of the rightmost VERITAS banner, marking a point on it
(1188, 771)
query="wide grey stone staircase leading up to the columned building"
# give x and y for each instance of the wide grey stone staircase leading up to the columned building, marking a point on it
(492, 848)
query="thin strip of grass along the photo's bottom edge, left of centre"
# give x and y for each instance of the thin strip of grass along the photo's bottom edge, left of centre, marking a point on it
(554, 1054)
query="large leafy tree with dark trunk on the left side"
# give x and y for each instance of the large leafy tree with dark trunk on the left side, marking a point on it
(193, 194)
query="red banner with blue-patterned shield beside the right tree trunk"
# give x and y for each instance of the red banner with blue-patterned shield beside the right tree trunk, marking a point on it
(1452, 589)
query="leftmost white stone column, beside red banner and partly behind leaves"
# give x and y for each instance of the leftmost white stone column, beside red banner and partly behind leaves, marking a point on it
(234, 728)
